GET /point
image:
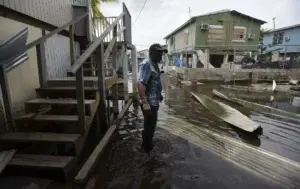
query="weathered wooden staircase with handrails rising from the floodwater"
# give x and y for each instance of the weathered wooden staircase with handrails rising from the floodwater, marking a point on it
(53, 132)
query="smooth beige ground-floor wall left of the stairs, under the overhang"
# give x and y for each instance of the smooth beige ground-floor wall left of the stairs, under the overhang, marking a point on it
(23, 79)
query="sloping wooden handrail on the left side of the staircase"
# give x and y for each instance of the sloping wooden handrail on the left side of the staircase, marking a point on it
(44, 38)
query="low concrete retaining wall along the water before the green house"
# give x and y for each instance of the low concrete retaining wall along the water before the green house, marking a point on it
(225, 74)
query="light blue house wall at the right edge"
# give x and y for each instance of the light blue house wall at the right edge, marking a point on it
(294, 35)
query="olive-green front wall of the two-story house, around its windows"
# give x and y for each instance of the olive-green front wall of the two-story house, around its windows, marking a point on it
(228, 21)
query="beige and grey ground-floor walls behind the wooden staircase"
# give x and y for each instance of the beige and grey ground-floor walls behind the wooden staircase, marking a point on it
(24, 79)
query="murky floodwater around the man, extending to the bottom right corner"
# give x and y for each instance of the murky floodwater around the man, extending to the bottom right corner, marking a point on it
(194, 149)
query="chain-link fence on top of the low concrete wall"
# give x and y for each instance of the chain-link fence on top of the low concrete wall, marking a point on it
(247, 56)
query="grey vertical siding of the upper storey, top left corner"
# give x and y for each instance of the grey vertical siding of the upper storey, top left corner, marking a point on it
(55, 12)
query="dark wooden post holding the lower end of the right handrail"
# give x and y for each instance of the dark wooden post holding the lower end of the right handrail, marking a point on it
(80, 100)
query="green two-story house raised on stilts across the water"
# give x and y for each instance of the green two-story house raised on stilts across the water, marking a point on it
(215, 38)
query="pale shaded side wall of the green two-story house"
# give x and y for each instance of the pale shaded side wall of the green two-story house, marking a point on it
(180, 44)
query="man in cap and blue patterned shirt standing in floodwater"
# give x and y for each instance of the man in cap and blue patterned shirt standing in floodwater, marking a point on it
(150, 88)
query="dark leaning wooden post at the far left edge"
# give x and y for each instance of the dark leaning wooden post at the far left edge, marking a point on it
(6, 99)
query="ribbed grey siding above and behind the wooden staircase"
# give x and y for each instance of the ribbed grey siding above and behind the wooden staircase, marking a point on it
(57, 13)
